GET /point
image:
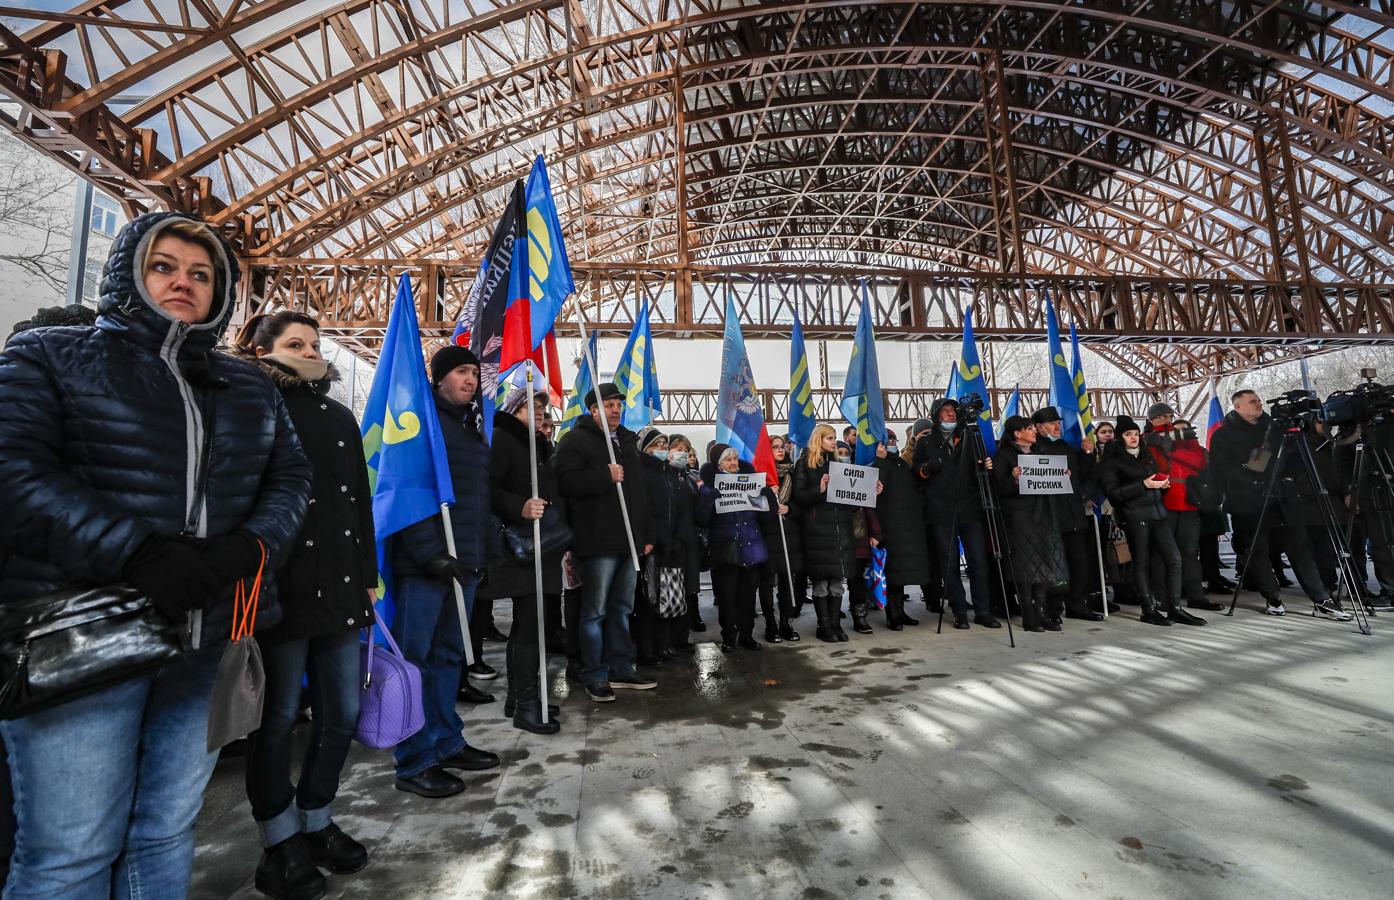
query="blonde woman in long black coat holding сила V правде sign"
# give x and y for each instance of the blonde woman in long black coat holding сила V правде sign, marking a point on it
(829, 548)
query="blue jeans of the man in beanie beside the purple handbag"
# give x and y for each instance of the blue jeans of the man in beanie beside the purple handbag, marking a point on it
(427, 628)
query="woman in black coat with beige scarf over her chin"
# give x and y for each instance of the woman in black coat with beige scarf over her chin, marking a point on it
(327, 593)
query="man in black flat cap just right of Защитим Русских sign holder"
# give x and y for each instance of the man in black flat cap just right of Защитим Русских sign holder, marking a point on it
(1073, 513)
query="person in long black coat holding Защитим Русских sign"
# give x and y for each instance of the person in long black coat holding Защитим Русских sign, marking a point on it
(1034, 537)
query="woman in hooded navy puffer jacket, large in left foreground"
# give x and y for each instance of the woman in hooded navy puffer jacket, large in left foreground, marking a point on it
(135, 453)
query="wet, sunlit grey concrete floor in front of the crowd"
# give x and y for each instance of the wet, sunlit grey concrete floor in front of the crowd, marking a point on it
(1248, 759)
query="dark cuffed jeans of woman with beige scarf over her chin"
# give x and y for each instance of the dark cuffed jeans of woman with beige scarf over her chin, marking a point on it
(335, 668)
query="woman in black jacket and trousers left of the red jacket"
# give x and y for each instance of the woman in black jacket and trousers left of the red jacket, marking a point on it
(1130, 479)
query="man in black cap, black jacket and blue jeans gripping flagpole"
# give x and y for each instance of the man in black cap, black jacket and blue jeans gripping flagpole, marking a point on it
(600, 547)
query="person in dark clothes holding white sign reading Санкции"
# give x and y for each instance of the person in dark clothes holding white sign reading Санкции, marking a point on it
(738, 547)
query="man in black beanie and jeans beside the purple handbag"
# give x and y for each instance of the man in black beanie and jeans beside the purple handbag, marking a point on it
(434, 559)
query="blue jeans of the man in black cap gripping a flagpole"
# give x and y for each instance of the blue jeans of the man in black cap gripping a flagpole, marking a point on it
(607, 603)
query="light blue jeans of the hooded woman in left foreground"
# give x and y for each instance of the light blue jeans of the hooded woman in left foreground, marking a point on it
(107, 788)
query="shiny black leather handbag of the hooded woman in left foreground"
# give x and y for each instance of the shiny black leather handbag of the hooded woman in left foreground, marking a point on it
(63, 646)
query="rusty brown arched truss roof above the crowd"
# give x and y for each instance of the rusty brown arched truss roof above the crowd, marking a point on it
(1208, 180)
